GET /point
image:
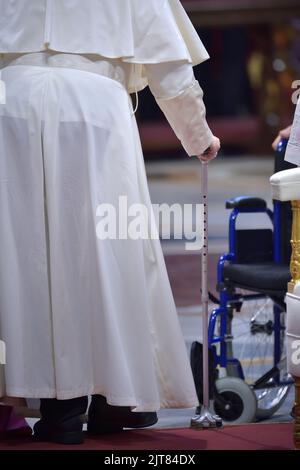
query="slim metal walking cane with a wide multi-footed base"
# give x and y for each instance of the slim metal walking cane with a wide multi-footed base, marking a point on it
(206, 419)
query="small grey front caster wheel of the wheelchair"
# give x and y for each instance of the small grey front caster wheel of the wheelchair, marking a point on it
(235, 402)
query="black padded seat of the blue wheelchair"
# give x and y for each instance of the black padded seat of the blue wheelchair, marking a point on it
(269, 278)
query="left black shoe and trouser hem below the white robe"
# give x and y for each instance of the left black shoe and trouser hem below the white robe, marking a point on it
(61, 421)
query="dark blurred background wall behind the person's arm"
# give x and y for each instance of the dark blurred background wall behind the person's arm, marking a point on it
(255, 56)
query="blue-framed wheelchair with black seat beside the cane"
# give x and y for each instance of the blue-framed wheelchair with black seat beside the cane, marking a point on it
(246, 331)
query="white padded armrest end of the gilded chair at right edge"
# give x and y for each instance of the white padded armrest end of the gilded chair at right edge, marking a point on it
(285, 185)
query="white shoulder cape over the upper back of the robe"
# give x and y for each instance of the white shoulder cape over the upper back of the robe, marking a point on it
(149, 31)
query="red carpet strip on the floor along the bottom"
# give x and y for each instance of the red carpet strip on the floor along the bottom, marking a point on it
(246, 437)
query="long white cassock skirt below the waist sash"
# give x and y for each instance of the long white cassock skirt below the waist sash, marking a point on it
(80, 315)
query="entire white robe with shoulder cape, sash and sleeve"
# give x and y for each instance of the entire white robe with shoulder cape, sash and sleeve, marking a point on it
(80, 315)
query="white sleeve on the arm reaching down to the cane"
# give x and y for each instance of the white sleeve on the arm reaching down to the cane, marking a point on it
(179, 96)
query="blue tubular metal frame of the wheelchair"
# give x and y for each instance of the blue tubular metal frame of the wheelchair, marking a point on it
(226, 297)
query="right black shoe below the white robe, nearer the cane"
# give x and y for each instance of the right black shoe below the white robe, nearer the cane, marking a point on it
(104, 418)
